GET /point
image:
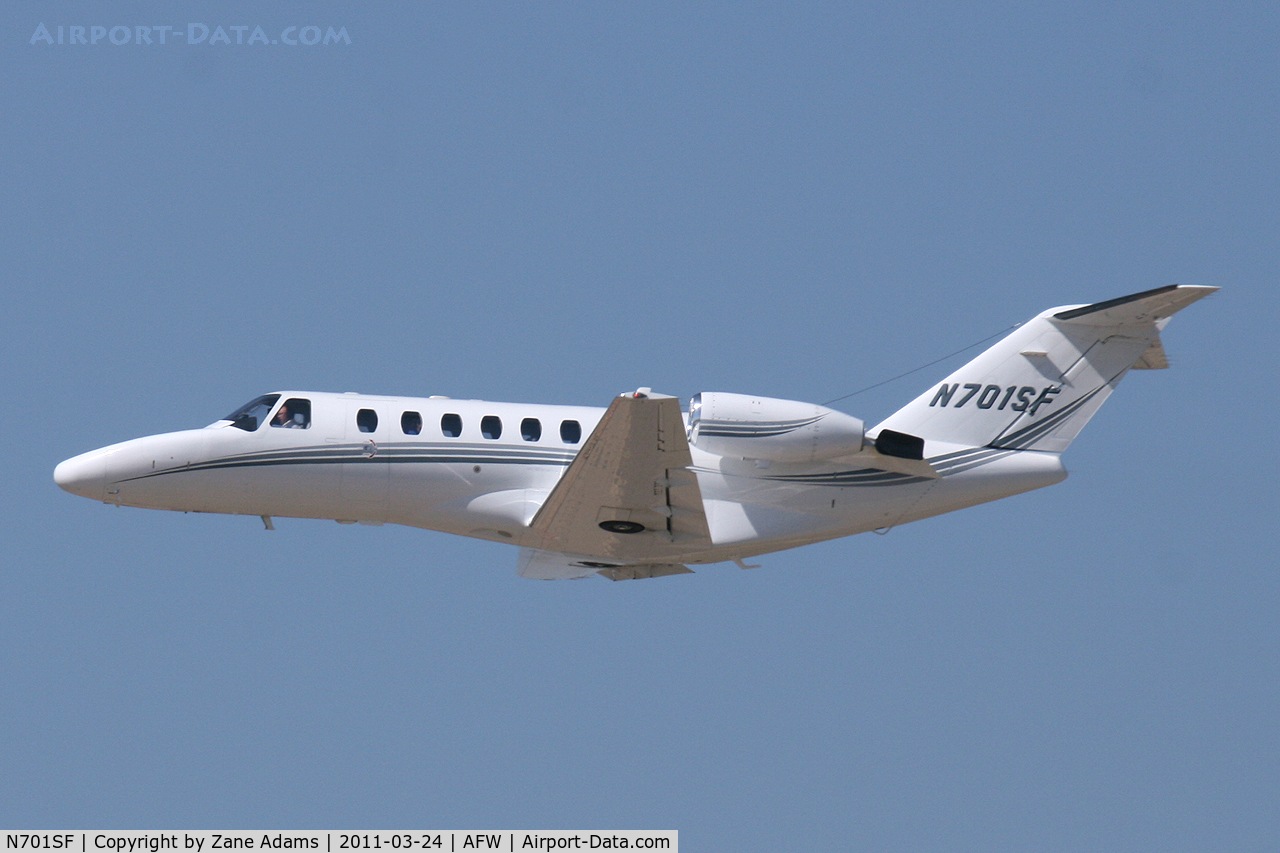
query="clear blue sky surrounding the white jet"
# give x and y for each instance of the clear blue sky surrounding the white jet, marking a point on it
(560, 203)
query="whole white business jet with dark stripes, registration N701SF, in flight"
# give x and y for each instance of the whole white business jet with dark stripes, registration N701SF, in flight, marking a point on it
(642, 490)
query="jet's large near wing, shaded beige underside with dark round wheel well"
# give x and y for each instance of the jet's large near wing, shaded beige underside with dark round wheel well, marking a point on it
(629, 495)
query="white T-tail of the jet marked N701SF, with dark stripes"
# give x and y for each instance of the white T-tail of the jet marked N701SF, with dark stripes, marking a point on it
(1039, 387)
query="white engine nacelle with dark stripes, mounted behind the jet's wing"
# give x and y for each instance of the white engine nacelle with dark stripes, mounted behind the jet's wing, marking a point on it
(779, 431)
